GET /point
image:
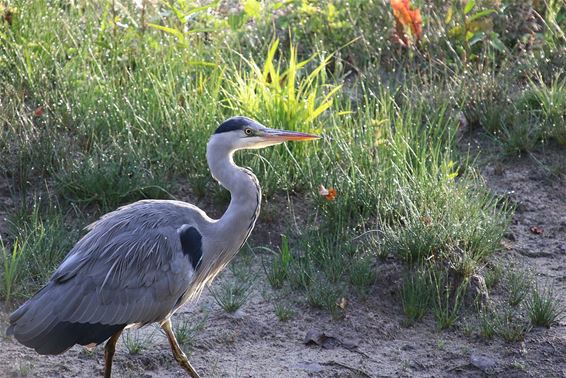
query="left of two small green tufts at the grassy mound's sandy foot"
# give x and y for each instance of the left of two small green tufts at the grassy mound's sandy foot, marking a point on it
(416, 296)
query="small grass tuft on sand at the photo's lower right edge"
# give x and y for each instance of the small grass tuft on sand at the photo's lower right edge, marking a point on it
(544, 307)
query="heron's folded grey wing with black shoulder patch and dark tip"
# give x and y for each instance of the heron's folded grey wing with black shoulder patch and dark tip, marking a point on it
(118, 274)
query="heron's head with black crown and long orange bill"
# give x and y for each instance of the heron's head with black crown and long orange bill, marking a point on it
(245, 133)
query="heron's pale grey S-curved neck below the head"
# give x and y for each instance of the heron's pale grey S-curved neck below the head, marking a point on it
(239, 219)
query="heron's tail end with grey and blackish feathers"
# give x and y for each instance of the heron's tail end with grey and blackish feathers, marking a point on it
(36, 325)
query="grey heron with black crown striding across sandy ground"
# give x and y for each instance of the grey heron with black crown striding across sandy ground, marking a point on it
(140, 263)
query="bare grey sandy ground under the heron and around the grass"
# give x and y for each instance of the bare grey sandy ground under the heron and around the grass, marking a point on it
(371, 342)
